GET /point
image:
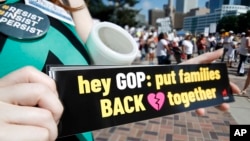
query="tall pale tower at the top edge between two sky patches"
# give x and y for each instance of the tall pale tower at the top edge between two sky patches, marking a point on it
(184, 6)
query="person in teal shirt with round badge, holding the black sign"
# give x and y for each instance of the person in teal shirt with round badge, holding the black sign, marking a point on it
(29, 105)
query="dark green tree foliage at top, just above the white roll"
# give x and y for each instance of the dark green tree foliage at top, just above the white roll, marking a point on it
(119, 11)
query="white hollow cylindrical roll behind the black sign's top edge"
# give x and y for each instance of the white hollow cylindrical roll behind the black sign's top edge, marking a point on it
(109, 44)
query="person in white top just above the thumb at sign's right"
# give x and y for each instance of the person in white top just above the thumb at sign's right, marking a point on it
(187, 46)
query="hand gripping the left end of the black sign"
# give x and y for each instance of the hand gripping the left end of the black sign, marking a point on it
(29, 106)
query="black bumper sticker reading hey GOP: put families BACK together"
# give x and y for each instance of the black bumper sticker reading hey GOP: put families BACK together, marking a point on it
(99, 97)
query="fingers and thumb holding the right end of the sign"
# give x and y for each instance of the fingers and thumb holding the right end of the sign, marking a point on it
(209, 58)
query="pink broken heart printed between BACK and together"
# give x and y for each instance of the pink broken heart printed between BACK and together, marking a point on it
(156, 100)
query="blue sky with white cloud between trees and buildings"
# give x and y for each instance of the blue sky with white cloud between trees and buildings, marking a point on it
(145, 5)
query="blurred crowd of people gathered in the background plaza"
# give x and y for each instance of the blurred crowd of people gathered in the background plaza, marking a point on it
(168, 47)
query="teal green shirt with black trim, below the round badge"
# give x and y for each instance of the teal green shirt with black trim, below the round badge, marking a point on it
(56, 47)
